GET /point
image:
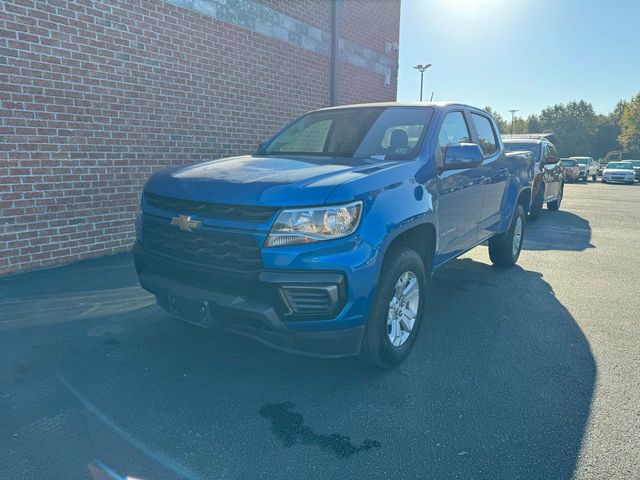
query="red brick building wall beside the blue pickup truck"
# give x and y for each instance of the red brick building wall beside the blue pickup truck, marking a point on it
(95, 95)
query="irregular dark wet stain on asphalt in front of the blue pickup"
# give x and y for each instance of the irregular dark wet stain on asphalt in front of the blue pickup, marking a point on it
(289, 427)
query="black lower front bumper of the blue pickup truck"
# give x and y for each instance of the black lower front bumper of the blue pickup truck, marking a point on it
(268, 307)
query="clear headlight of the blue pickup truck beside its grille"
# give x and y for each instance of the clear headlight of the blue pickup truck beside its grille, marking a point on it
(307, 225)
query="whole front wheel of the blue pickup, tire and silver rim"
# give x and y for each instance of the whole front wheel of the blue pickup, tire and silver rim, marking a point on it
(397, 310)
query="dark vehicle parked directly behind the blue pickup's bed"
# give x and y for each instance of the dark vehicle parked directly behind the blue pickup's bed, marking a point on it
(548, 181)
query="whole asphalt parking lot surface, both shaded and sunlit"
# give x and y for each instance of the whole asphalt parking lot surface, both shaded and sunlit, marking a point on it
(531, 372)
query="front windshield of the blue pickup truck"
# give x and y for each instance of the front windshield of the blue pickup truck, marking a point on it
(385, 133)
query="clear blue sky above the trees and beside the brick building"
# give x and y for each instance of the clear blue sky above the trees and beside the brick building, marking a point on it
(523, 54)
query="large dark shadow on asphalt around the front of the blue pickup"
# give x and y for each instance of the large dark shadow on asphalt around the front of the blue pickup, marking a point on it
(499, 386)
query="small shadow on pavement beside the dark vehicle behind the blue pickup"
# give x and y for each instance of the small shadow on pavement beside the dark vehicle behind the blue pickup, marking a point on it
(560, 230)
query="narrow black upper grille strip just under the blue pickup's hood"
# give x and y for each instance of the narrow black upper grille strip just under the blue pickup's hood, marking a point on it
(249, 213)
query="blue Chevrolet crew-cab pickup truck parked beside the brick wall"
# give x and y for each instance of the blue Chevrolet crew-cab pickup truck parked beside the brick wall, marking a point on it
(324, 241)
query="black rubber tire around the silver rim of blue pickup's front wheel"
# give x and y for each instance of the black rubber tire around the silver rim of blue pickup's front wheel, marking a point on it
(377, 347)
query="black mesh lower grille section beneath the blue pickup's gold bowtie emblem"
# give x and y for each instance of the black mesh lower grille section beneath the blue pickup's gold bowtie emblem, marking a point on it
(214, 249)
